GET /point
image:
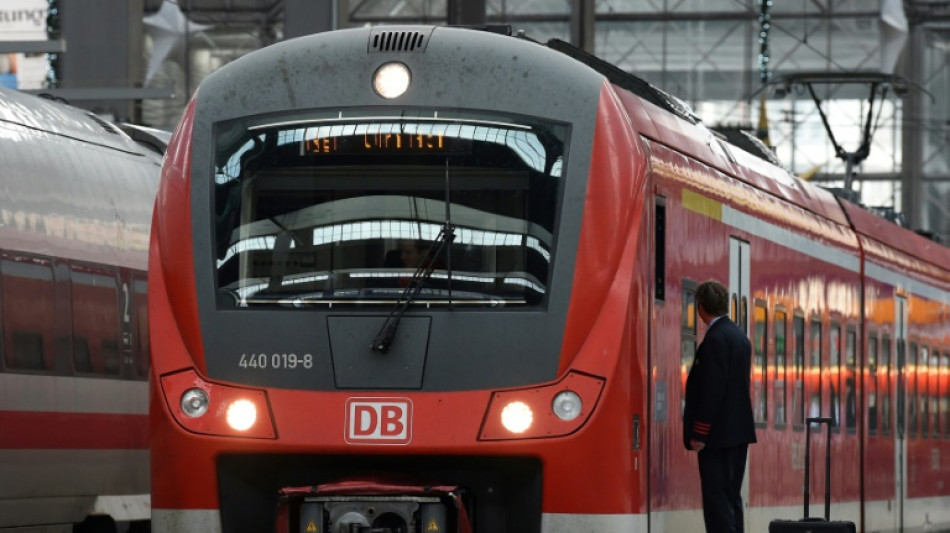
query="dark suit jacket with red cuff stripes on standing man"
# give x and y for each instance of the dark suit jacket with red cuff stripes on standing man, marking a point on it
(718, 407)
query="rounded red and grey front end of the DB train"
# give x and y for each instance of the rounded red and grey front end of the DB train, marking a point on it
(391, 280)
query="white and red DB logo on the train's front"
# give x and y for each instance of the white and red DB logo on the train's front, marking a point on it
(378, 421)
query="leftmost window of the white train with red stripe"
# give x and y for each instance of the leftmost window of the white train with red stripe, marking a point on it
(28, 298)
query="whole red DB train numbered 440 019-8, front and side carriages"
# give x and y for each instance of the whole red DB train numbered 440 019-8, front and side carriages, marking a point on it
(440, 279)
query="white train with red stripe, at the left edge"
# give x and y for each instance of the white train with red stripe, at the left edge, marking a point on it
(75, 214)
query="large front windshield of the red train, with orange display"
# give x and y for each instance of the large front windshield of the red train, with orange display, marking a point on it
(321, 212)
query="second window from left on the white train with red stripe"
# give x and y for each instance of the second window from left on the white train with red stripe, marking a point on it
(95, 300)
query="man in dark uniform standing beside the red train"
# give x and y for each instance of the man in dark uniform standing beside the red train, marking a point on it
(717, 417)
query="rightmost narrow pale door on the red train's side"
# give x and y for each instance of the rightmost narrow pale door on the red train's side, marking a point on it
(900, 444)
